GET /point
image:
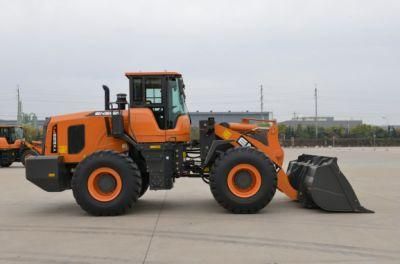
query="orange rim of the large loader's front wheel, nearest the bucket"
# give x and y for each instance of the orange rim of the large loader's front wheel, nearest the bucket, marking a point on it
(252, 177)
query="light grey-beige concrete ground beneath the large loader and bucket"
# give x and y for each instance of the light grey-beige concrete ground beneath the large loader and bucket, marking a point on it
(186, 225)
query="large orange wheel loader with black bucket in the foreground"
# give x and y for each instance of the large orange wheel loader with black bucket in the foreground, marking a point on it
(111, 157)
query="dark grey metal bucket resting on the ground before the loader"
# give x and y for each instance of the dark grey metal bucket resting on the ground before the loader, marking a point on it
(321, 184)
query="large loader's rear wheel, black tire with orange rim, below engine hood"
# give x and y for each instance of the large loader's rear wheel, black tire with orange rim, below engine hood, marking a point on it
(106, 183)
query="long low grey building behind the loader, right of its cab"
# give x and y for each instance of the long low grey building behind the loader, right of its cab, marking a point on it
(226, 116)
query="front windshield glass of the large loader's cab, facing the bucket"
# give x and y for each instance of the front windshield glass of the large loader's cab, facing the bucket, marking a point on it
(176, 99)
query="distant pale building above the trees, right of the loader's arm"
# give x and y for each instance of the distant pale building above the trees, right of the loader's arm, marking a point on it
(327, 121)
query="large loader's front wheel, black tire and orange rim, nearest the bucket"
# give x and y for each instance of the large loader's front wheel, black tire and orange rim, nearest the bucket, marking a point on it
(243, 180)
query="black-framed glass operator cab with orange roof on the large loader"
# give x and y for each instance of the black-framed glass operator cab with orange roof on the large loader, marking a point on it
(162, 92)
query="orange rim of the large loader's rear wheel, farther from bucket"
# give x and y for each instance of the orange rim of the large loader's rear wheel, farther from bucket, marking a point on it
(97, 191)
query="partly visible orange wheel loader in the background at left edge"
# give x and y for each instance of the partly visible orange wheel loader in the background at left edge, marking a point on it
(13, 146)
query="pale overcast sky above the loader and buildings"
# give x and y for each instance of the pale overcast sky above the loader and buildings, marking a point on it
(61, 52)
